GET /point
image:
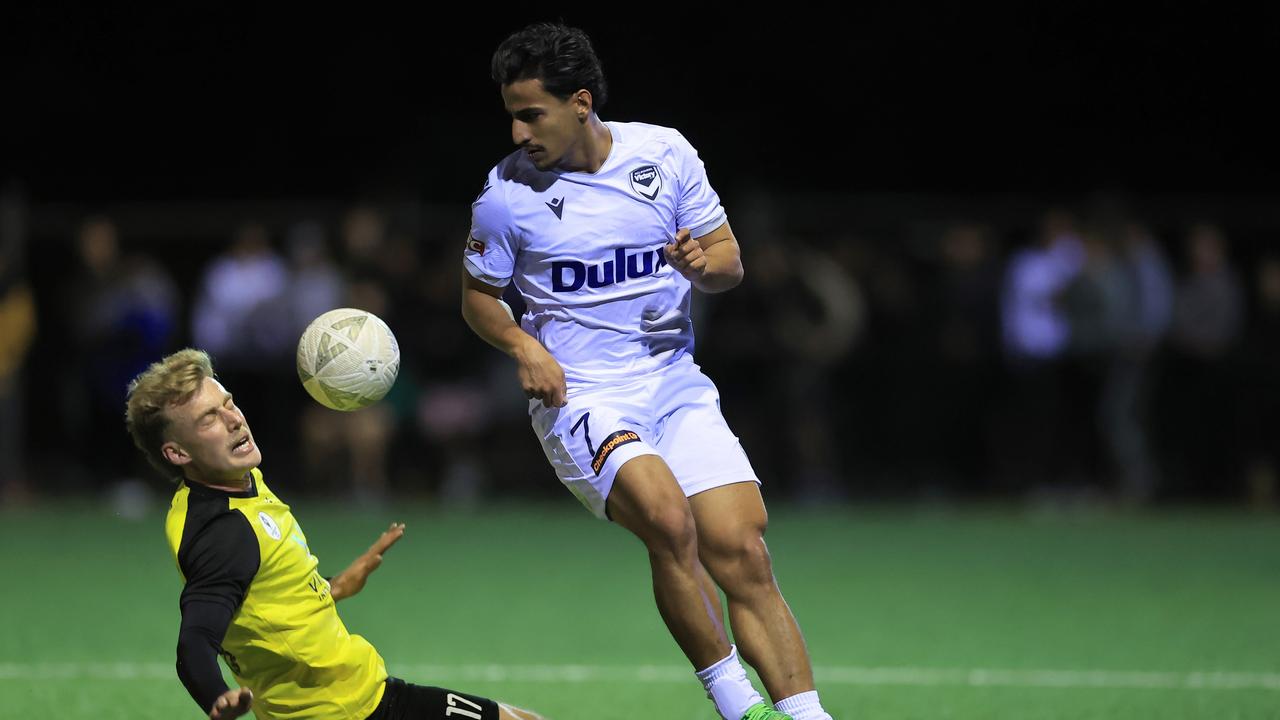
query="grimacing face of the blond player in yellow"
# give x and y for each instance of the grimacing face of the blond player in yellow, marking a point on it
(209, 438)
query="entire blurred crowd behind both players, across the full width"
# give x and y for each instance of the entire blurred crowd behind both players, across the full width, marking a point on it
(1085, 356)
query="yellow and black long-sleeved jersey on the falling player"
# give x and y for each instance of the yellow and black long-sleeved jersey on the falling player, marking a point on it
(254, 595)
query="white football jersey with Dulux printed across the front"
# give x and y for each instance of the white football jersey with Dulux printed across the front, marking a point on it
(586, 250)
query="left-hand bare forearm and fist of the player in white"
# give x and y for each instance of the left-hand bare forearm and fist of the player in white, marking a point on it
(541, 376)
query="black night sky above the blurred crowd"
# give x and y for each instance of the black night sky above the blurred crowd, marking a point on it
(130, 104)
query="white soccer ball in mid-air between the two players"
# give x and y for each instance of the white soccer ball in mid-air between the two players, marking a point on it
(348, 359)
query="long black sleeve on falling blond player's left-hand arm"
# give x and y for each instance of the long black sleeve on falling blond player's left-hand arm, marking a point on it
(220, 564)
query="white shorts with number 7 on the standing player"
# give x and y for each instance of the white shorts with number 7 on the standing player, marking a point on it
(673, 413)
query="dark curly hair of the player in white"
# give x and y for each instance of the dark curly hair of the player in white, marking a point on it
(559, 56)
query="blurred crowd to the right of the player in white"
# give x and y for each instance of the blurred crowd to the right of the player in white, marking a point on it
(1085, 358)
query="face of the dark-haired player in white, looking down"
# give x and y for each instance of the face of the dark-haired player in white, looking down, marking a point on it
(542, 125)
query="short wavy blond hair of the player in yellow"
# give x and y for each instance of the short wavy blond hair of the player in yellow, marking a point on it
(173, 381)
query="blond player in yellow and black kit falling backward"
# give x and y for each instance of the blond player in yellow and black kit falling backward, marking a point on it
(253, 590)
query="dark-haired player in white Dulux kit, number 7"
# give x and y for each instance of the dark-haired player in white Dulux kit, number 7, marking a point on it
(606, 229)
